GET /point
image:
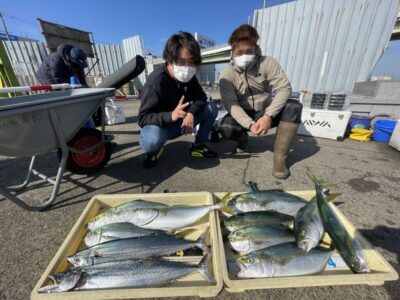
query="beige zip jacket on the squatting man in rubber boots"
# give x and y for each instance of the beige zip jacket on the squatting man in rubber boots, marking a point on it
(253, 88)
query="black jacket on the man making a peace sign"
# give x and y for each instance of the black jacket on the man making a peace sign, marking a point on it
(161, 95)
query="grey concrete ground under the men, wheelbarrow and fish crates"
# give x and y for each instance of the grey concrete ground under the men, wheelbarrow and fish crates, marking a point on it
(367, 175)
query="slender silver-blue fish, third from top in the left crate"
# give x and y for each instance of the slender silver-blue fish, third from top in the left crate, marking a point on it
(131, 248)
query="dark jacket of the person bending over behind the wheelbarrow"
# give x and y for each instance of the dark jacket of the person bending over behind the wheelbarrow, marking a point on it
(56, 68)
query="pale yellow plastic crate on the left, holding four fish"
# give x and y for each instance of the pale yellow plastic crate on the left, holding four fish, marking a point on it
(192, 285)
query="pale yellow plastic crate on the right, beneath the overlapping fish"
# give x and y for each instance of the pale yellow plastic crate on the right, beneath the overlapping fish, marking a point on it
(381, 270)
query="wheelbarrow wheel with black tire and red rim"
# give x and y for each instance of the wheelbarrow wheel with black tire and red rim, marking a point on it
(88, 162)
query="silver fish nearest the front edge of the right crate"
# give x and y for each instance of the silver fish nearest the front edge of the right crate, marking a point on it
(282, 260)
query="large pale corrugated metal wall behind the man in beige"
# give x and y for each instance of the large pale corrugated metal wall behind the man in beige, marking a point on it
(326, 45)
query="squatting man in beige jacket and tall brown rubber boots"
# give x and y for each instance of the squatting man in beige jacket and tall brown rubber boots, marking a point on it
(246, 87)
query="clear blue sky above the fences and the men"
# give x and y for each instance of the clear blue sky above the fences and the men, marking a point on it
(111, 21)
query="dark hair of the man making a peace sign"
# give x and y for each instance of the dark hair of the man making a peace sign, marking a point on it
(182, 39)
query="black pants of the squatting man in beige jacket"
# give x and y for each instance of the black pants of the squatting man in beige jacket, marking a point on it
(232, 130)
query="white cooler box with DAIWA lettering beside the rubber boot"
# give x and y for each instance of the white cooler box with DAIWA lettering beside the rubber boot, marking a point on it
(329, 124)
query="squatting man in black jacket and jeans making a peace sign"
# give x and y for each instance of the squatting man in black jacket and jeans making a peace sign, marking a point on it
(173, 102)
